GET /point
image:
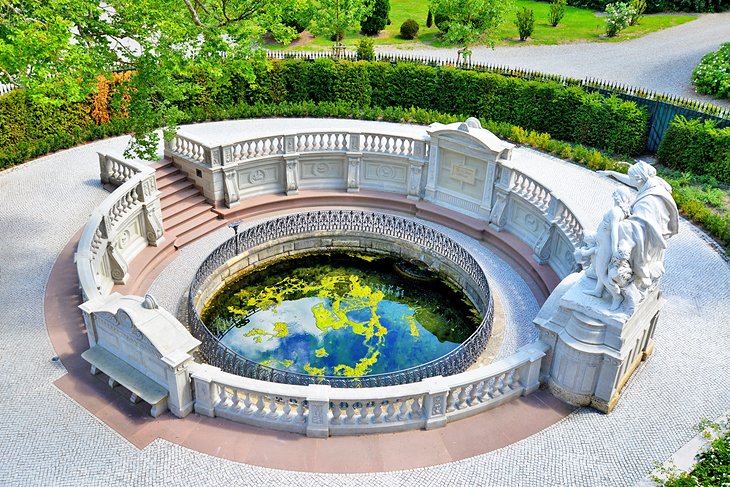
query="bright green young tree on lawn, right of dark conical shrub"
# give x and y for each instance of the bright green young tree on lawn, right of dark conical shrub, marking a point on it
(470, 21)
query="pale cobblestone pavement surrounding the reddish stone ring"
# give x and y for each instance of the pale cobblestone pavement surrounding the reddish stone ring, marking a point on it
(47, 439)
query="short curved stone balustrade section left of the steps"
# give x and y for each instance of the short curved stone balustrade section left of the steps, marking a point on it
(127, 221)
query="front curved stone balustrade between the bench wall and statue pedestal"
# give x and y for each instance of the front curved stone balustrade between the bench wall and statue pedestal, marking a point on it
(321, 411)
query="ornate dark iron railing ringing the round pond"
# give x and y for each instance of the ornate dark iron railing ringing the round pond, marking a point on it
(216, 353)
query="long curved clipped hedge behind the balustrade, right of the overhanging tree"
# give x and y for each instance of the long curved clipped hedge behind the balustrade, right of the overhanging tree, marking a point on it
(567, 113)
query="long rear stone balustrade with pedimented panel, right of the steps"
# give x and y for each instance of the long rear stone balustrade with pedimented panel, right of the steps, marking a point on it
(459, 166)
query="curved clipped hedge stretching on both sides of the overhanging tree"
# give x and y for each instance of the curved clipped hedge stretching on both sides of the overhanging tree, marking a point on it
(29, 129)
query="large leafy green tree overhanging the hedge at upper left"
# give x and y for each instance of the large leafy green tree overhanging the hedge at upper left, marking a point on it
(57, 49)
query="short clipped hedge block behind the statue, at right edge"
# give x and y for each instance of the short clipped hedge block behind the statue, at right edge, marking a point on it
(697, 146)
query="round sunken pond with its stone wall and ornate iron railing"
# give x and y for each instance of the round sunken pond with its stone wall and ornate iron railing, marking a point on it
(345, 298)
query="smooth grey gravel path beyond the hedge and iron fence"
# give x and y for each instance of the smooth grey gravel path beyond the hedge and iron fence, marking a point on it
(662, 61)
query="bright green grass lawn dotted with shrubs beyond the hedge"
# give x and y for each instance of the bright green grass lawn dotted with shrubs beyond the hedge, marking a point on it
(578, 25)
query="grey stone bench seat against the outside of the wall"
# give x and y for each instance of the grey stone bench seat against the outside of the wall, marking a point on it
(120, 372)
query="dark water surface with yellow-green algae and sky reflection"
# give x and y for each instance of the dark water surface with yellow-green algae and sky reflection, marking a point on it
(340, 314)
